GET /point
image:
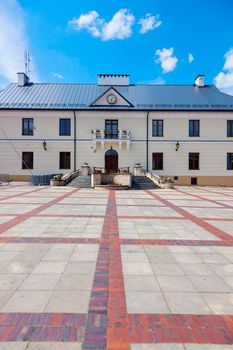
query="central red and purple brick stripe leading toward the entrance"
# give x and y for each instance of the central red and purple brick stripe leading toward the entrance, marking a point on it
(107, 310)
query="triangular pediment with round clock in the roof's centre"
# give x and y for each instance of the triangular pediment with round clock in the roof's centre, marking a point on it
(111, 98)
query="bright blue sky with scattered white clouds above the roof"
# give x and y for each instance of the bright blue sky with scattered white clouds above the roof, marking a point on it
(155, 41)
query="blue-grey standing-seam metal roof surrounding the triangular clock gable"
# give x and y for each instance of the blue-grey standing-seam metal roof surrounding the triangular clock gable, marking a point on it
(142, 97)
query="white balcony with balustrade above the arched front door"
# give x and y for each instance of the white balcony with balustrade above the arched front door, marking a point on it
(120, 138)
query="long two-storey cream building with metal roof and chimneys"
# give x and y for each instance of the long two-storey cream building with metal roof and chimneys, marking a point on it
(182, 131)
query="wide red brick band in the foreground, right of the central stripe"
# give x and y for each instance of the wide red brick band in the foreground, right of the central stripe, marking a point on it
(175, 328)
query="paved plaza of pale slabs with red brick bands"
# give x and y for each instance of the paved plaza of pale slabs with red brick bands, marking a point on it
(117, 270)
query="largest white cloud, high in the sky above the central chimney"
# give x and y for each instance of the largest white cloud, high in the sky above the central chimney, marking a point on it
(119, 27)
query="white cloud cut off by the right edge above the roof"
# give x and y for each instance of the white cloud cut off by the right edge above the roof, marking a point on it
(224, 80)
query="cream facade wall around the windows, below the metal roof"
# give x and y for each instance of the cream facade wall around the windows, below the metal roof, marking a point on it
(213, 143)
